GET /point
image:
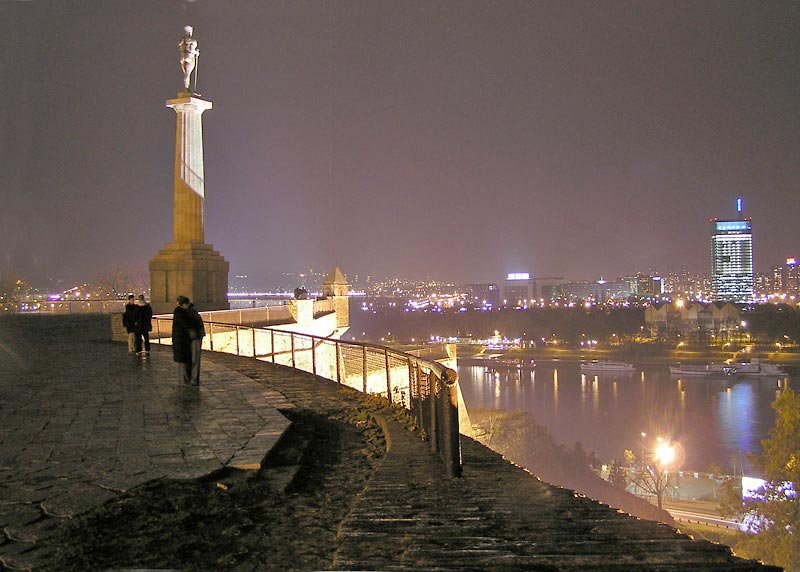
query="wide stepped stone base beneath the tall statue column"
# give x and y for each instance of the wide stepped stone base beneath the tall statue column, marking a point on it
(196, 271)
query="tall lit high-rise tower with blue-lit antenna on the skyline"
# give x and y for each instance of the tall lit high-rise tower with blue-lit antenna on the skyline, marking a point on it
(732, 259)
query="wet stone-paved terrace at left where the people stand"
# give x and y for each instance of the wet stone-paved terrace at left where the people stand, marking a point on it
(81, 421)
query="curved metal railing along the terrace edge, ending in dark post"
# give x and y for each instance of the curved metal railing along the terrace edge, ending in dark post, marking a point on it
(427, 388)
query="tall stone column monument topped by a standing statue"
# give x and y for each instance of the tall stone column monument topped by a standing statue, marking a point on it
(188, 266)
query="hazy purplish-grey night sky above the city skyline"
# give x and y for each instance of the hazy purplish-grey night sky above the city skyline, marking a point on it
(460, 139)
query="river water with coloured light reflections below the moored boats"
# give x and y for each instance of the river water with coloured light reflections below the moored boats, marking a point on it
(713, 418)
